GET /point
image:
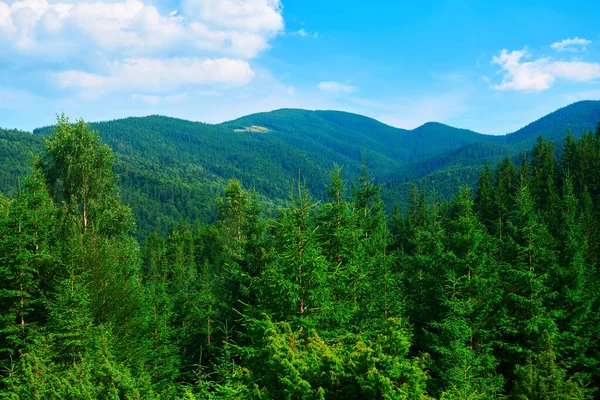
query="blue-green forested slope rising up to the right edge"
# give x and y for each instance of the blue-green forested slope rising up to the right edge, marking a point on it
(445, 171)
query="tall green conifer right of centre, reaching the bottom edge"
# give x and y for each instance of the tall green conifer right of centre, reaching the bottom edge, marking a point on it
(465, 333)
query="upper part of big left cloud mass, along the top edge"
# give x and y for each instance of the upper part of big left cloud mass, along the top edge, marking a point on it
(129, 28)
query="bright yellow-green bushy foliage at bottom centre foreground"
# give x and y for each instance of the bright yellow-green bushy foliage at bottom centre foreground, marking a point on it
(291, 363)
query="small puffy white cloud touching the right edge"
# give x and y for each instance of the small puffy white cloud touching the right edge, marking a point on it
(540, 74)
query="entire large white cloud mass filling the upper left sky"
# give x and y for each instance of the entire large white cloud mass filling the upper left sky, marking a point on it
(131, 44)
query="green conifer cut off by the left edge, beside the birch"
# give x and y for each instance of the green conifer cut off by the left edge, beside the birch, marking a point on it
(26, 260)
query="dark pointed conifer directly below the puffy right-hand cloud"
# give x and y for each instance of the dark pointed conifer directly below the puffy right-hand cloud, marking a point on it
(528, 296)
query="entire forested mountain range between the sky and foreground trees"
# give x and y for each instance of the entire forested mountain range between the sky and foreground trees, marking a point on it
(172, 169)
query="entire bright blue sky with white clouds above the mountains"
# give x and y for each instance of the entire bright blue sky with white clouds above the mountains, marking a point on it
(488, 66)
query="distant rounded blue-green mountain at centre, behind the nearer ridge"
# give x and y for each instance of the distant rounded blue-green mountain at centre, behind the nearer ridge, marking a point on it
(350, 135)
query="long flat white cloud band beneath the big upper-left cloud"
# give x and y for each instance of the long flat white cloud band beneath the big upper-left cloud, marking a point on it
(158, 75)
